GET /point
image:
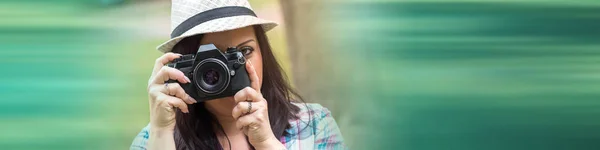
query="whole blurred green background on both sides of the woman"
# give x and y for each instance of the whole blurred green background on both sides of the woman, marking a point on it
(416, 75)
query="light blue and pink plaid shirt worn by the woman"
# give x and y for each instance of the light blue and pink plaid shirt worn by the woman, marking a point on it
(314, 129)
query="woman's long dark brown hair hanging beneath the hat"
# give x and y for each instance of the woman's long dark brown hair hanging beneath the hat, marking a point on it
(197, 129)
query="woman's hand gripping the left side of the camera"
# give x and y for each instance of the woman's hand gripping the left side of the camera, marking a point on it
(165, 97)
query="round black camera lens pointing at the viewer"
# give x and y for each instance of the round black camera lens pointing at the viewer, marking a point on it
(211, 76)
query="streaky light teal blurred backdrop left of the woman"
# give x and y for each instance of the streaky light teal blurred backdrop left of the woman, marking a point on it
(72, 74)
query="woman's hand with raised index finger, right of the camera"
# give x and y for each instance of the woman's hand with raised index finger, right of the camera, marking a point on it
(252, 114)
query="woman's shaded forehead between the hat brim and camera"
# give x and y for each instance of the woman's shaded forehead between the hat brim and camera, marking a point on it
(229, 38)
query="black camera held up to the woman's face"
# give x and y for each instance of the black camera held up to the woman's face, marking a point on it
(213, 74)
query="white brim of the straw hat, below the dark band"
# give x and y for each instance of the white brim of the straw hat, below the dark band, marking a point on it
(218, 25)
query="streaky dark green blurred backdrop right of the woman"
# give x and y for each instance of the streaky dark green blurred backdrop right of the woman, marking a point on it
(470, 75)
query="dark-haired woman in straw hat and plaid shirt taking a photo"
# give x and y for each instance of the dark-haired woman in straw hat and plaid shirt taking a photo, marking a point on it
(262, 116)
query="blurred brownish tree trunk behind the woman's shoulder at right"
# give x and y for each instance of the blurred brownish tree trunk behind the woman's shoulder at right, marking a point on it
(310, 68)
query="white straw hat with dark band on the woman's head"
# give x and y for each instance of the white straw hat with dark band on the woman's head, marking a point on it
(193, 17)
